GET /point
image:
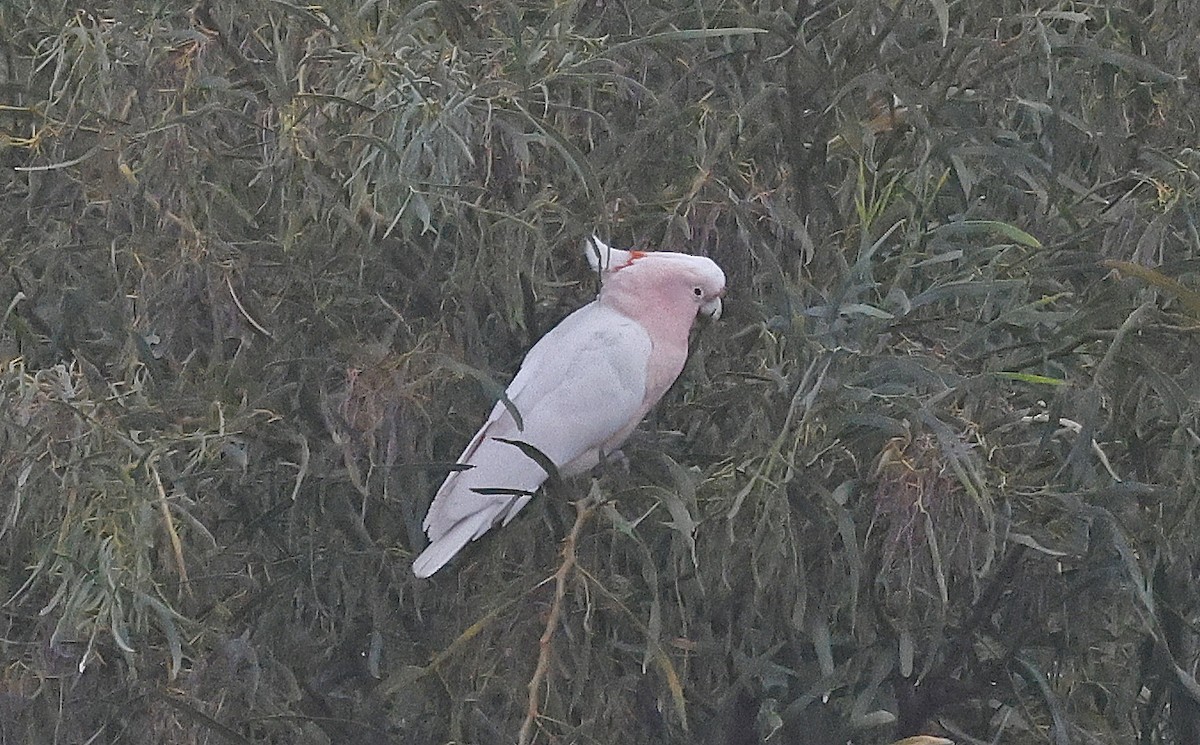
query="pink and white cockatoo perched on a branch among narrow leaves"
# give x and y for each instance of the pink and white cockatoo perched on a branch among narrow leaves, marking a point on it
(580, 393)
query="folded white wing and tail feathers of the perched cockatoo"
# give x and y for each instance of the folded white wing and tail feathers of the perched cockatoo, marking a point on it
(580, 386)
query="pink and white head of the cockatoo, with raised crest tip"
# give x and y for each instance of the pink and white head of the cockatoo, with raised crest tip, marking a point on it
(643, 284)
